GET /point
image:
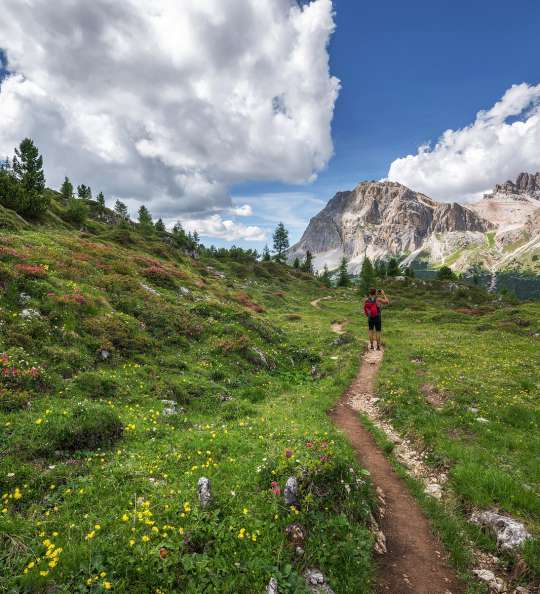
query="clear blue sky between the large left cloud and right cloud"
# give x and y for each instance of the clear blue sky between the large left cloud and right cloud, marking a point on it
(409, 70)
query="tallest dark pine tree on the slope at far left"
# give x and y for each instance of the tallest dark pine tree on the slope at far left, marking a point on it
(28, 171)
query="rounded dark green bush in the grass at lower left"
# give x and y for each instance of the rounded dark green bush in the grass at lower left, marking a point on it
(87, 427)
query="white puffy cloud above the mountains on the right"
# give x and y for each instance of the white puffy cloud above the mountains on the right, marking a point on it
(465, 163)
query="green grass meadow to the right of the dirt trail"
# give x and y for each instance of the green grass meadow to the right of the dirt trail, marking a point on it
(485, 358)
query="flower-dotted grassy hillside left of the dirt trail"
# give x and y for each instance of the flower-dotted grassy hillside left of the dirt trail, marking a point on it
(98, 475)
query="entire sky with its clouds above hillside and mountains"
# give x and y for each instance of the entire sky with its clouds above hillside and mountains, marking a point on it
(249, 112)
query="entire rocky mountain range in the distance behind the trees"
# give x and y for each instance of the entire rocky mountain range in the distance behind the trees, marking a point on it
(501, 232)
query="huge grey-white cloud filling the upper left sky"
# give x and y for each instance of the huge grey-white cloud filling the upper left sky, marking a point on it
(170, 102)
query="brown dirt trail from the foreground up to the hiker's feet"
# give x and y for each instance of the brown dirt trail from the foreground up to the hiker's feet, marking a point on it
(415, 561)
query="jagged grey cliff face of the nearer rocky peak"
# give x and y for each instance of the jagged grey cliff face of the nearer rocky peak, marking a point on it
(381, 219)
